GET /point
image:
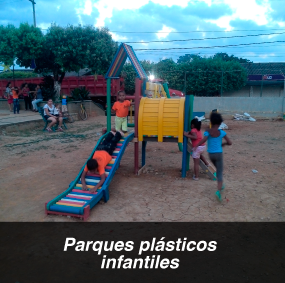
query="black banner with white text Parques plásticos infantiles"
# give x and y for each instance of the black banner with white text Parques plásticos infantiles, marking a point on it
(142, 252)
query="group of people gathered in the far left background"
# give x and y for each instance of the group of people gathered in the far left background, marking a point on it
(31, 98)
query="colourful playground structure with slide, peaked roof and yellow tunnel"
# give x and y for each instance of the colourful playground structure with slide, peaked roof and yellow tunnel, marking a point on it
(155, 120)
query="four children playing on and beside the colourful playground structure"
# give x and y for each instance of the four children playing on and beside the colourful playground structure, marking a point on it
(213, 136)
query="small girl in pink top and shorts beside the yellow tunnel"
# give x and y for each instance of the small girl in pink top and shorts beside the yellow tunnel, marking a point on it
(196, 136)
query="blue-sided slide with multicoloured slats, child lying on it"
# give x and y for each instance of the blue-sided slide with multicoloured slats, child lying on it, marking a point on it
(76, 202)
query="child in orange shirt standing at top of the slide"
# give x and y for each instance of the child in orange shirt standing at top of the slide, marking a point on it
(121, 108)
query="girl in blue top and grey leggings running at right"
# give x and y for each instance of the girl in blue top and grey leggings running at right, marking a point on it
(215, 138)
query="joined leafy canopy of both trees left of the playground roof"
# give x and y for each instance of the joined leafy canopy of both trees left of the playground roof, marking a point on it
(60, 50)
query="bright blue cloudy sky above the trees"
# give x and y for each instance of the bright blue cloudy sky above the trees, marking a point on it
(202, 24)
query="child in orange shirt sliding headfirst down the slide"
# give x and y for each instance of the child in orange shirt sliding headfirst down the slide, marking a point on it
(100, 159)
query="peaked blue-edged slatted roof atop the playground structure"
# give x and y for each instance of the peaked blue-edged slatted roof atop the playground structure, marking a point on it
(125, 51)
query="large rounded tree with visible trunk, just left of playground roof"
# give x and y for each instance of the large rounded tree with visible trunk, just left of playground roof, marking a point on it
(73, 48)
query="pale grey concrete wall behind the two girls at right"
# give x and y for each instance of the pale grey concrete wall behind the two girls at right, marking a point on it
(255, 106)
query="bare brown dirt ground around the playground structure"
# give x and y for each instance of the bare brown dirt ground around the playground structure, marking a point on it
(35, 167)
